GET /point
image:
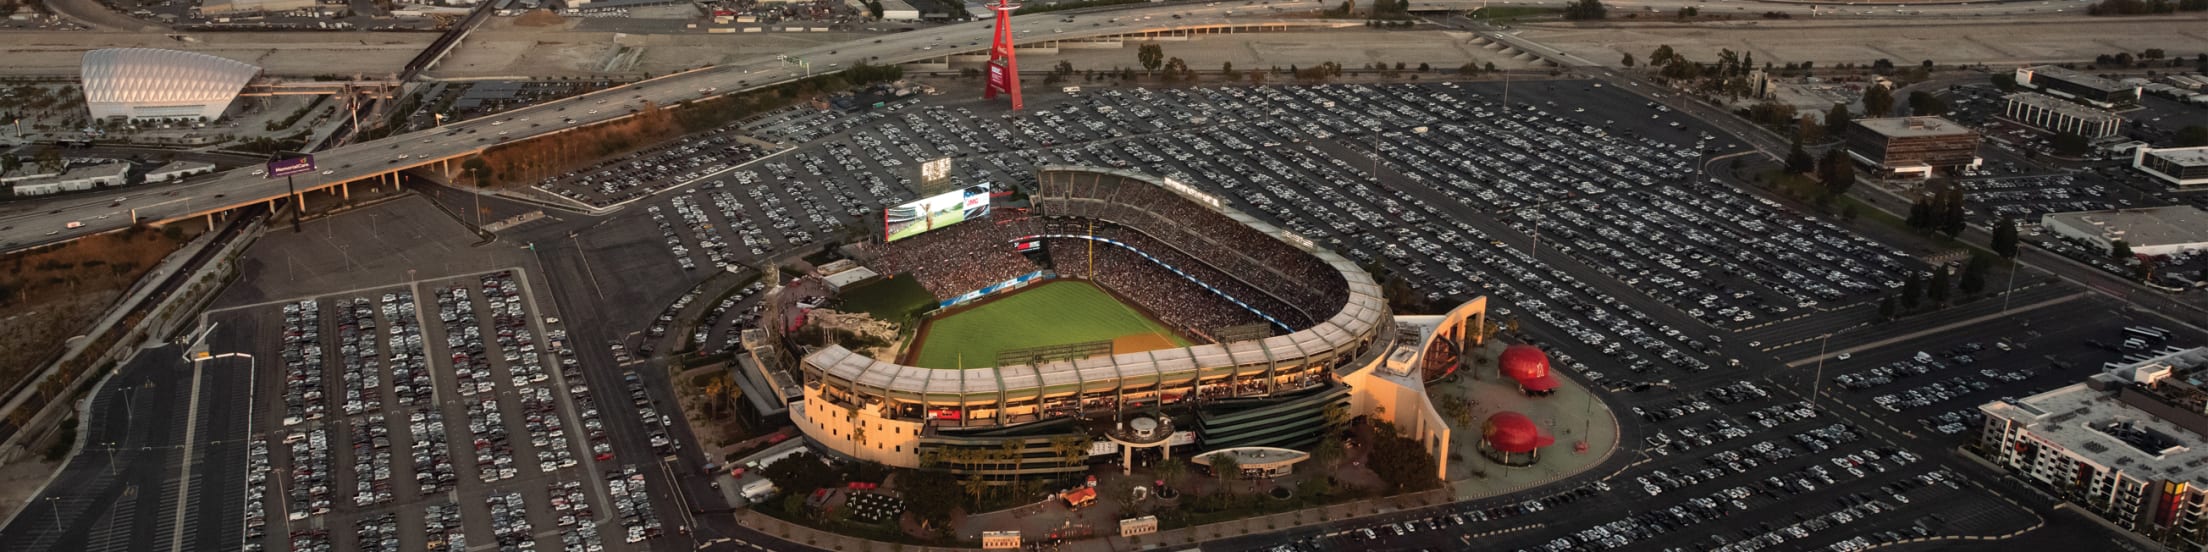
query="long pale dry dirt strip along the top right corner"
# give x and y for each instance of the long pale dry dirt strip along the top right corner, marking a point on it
(1949, 41)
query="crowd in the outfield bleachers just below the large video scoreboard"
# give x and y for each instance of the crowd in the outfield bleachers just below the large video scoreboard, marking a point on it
(962, 257)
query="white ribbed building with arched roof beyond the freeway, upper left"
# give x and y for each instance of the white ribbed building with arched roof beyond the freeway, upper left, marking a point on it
(162, 85)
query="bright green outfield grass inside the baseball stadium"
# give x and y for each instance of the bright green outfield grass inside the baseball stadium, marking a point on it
(1057, 312)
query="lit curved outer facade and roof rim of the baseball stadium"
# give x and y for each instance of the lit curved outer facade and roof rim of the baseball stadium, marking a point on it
(1341, 354)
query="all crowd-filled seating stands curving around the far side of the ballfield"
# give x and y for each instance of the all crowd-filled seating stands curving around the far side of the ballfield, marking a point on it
(1156, 231)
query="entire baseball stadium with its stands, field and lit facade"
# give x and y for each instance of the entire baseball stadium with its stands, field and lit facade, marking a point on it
(1123, 317)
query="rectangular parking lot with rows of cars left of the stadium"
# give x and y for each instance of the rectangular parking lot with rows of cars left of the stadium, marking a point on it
(427, 416)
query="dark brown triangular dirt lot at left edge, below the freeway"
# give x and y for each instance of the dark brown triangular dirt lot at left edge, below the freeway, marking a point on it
(59, 293)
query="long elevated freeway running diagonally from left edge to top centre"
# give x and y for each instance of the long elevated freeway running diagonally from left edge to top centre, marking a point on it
(438, 147)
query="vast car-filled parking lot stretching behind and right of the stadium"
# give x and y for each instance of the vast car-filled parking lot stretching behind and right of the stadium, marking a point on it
(1266, 147)
